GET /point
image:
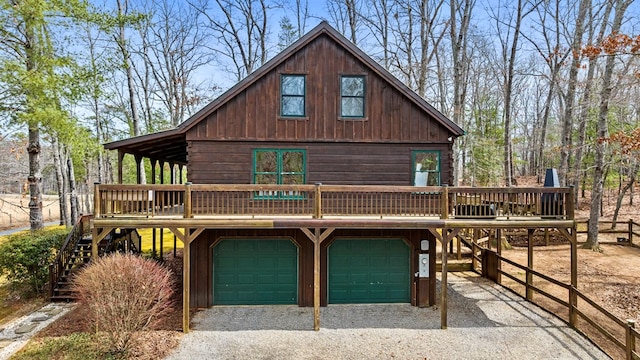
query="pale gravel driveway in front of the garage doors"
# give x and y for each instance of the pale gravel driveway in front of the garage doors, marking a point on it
(485, 322)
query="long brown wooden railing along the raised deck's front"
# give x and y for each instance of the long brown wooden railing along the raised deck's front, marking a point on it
(318, 201)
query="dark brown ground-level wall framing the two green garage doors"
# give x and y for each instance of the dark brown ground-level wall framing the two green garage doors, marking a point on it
(202, 259)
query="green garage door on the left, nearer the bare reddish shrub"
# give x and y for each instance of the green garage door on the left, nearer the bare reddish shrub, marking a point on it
(254, 271)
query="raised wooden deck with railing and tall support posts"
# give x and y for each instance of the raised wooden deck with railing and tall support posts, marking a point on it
(318, 210)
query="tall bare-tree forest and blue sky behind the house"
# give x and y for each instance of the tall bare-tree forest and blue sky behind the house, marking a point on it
(535, 84)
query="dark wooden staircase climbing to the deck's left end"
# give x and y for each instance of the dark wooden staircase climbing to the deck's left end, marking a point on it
(76, 252)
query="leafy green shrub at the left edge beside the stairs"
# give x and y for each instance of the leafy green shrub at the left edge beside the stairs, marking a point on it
(25, 258)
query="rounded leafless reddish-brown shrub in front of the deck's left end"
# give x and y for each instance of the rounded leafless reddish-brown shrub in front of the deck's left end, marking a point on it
(125, 294)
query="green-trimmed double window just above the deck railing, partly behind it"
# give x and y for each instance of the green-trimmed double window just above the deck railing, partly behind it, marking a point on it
(279, 166)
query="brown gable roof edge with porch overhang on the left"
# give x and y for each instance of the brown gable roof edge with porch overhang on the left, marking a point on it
(155, 145)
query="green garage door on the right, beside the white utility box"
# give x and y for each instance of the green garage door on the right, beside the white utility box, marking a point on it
(369, 271)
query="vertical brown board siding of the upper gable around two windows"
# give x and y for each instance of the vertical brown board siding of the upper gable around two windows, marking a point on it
(254, 113)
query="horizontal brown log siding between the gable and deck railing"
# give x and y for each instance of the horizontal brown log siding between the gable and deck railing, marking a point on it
(227, 162)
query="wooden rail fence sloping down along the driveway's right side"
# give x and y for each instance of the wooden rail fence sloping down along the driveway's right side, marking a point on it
(623, 334)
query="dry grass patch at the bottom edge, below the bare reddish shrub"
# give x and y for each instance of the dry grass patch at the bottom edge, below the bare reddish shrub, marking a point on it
(78, 346)
